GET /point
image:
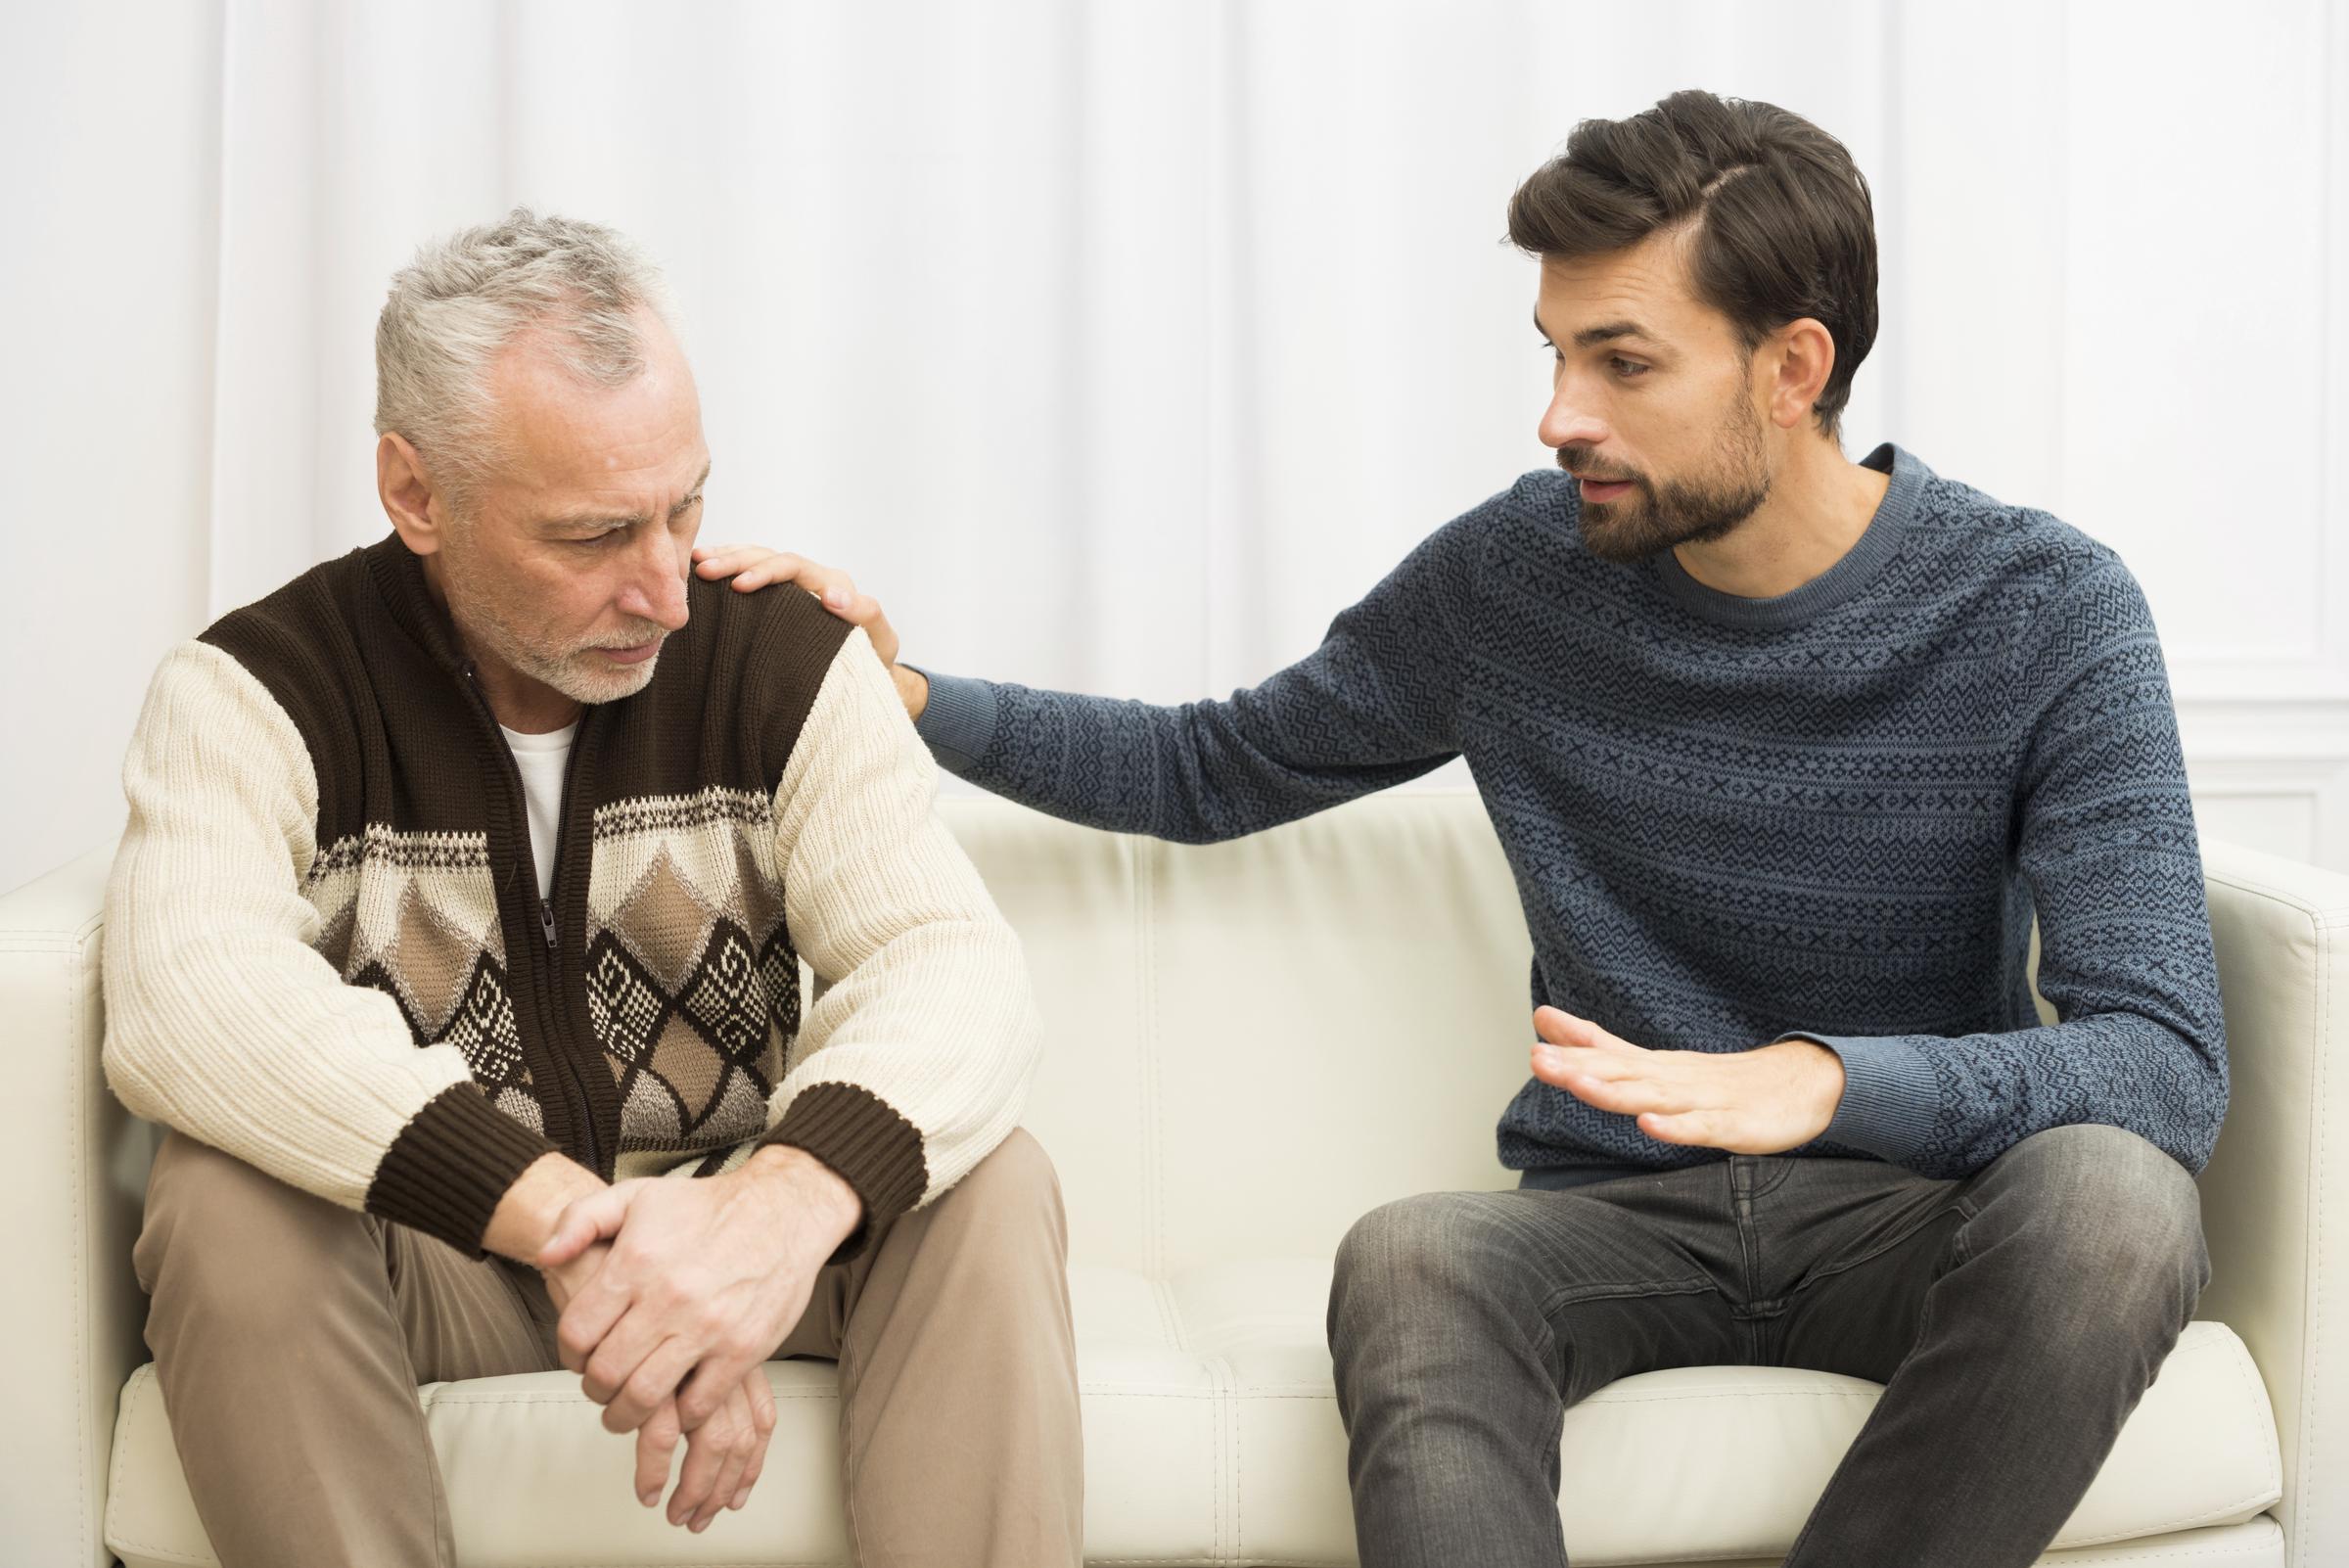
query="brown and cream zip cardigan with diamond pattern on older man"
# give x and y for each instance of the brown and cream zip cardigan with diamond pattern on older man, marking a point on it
(328, 957)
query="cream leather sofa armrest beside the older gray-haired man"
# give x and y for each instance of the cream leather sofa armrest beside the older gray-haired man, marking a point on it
(74, 1309)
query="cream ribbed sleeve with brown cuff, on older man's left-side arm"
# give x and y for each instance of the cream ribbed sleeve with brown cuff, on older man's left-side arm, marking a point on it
(220, 1015)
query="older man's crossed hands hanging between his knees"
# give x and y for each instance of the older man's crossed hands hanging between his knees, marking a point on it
(673, 1297)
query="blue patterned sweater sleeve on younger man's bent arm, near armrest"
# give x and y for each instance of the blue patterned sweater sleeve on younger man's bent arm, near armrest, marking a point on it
(2106, 842)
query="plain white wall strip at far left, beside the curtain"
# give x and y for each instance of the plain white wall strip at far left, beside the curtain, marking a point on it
(109, 273)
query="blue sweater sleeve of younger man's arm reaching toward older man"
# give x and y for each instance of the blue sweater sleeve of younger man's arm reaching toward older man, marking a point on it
(1375, 705)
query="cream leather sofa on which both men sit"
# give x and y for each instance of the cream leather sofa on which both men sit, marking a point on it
(1248, 1046)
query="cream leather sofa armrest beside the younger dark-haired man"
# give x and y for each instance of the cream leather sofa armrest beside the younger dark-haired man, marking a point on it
(2277, 1191)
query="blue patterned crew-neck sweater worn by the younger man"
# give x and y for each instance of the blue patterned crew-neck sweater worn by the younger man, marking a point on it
(1732, 820)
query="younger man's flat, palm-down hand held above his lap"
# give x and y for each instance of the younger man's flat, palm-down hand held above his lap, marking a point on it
(1744, 1102)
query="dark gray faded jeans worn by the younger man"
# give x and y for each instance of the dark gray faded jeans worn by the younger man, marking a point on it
(2014, 1318)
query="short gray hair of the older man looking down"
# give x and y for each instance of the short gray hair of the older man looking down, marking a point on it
(466, 297)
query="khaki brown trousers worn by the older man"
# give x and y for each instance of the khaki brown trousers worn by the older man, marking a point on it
(290, 1337)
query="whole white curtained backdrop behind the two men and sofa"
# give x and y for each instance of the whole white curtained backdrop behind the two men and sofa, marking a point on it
(1122, 344)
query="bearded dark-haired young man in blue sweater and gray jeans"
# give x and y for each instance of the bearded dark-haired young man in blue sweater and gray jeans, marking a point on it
(1786, 752)
